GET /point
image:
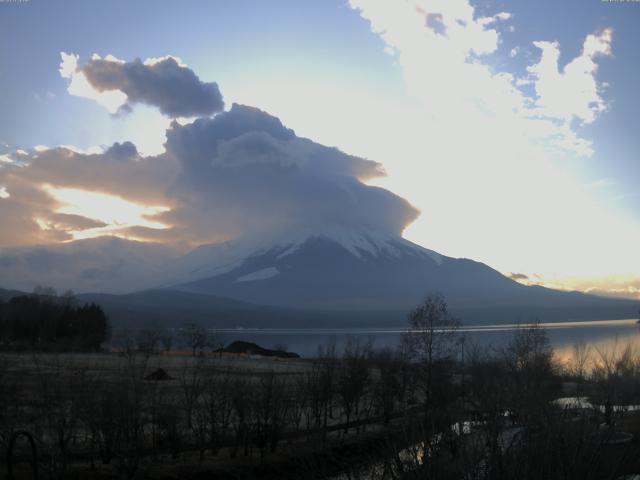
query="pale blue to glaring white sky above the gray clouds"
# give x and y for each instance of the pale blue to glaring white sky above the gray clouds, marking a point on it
(344, 74)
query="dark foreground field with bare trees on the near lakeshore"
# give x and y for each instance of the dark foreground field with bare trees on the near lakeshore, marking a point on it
(400, 413)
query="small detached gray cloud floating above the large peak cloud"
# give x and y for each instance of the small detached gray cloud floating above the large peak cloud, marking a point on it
(175, 89)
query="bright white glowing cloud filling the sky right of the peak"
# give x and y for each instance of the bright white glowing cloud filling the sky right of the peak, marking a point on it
(488, 165)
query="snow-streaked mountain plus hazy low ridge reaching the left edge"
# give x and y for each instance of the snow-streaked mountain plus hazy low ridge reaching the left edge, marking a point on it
(308, 278)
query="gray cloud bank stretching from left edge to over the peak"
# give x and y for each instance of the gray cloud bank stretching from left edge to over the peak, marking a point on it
(238, 173)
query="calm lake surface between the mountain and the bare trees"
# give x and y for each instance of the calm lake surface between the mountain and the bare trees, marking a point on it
(602, 334)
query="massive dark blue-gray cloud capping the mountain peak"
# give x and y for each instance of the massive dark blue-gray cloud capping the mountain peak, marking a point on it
(243, 171)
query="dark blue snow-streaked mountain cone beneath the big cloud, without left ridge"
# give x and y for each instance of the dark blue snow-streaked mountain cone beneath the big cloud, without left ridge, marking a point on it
(370, 271)
